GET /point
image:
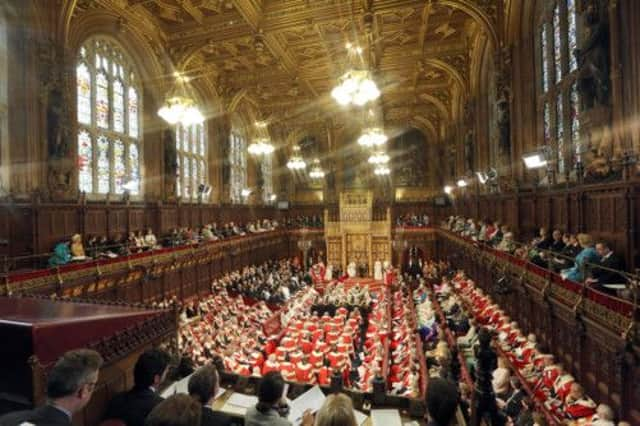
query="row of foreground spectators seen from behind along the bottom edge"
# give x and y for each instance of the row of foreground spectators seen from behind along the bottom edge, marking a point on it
(72, 380)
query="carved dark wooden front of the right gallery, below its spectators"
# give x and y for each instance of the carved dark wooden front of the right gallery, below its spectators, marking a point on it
(593, 334)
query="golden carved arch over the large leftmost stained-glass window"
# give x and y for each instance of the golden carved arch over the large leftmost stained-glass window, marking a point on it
(134, 45)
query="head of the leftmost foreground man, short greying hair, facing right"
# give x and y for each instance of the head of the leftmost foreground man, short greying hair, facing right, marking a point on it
(73, 378)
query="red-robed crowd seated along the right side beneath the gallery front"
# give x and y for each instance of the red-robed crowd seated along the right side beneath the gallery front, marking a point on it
(520, 358)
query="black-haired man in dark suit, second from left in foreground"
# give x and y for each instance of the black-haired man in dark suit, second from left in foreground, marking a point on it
(133, 406)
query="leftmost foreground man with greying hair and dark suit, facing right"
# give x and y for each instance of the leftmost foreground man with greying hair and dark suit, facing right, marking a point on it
(70, 385)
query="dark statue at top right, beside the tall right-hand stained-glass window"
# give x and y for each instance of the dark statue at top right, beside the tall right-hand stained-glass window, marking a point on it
(593, 56)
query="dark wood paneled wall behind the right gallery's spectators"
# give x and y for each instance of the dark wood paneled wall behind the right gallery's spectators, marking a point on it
(607, 211)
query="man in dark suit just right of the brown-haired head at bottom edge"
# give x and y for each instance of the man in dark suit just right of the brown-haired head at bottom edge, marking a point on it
(203, 387)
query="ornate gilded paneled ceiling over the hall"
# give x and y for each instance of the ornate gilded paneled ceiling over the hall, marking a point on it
(284, 56)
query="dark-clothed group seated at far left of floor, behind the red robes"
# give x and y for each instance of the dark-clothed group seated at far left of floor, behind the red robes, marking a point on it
(272, 281)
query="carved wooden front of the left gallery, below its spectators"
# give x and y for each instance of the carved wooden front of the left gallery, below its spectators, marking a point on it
(150, 276)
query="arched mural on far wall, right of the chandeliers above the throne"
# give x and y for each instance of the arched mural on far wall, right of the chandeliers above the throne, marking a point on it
(408, 153)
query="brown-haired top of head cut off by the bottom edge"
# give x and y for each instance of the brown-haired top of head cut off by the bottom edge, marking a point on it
(177, 410)
